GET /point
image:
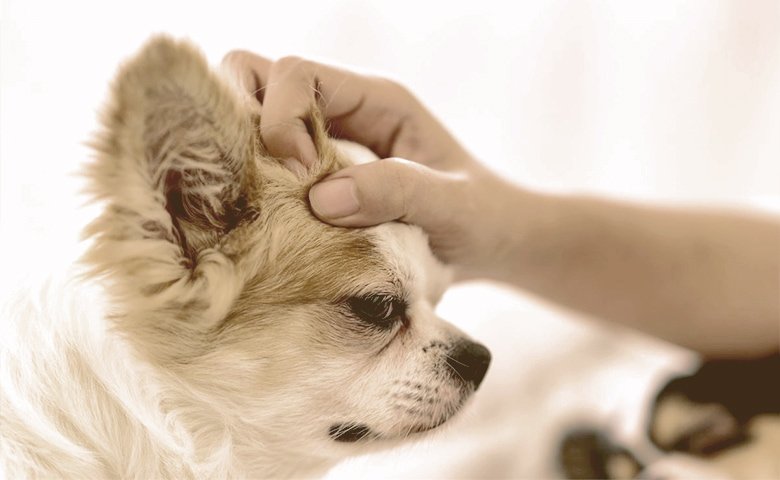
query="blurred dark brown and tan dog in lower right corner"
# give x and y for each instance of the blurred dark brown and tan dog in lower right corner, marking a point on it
(720, 421)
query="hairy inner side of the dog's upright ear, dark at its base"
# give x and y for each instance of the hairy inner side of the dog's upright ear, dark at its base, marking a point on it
(197, 142)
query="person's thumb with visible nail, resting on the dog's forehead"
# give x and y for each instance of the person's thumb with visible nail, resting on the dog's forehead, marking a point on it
(383, 191)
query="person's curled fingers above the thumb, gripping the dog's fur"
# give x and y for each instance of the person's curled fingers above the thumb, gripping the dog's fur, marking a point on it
(362, 108)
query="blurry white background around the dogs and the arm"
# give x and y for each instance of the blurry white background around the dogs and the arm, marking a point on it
(668, 101)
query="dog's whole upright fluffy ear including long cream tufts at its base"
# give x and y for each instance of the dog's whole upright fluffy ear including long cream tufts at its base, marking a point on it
(175, 166)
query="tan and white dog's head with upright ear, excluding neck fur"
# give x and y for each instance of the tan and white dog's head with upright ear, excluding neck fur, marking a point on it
(306, 338)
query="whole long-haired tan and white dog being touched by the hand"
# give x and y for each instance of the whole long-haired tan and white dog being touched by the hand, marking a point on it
(222, 330)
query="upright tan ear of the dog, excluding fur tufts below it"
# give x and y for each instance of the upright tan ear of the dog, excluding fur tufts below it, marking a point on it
(175, 137)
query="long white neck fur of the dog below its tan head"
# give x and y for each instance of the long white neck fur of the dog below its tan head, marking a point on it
(120, 422)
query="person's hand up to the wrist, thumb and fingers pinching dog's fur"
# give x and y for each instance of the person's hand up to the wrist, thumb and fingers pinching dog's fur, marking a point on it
(442, 189)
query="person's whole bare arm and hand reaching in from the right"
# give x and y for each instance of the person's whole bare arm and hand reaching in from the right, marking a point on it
(704, 279)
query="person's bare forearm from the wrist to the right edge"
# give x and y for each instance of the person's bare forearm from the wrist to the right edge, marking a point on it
(709, 281)
